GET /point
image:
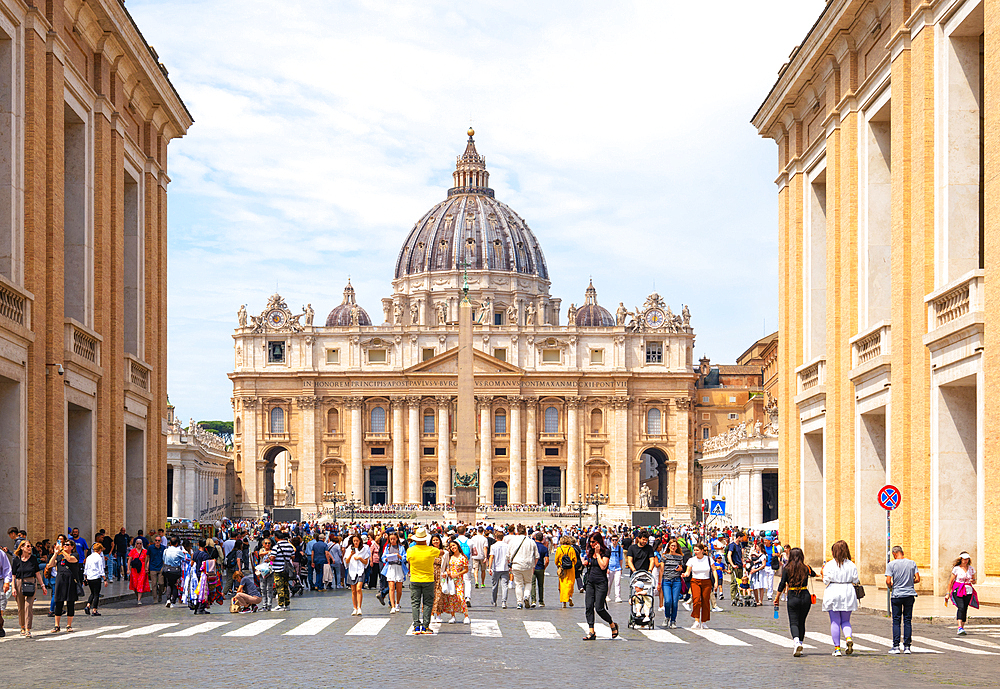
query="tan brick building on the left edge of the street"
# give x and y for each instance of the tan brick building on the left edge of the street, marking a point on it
(86, 114)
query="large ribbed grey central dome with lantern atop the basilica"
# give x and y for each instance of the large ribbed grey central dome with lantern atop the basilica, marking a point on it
(471, 225)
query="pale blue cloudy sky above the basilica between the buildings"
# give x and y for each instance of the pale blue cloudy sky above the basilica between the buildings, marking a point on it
(323, 130)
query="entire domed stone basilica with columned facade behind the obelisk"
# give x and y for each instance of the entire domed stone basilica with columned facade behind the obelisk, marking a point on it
(565, 407)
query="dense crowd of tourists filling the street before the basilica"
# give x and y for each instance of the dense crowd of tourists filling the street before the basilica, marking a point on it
(258, 566)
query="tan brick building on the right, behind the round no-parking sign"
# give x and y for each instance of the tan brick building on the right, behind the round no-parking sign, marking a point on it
(888, 210)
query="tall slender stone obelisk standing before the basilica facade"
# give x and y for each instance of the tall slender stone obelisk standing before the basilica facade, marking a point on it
(466, 475)
